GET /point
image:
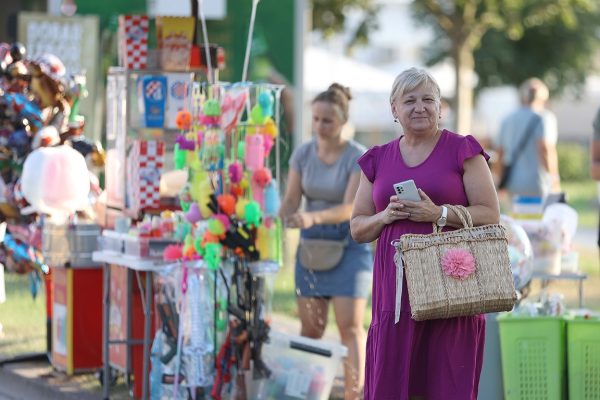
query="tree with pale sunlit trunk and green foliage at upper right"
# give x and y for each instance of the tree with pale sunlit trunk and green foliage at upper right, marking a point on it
(461, 25)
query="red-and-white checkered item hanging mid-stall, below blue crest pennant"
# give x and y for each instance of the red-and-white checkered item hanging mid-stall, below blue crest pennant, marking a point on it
(145, 165)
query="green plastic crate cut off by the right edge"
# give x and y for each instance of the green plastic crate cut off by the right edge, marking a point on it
(583, 352)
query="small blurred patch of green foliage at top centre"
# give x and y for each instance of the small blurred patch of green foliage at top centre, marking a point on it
(329, 17)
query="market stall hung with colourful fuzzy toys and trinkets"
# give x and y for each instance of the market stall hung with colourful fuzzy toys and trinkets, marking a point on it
(192, 236)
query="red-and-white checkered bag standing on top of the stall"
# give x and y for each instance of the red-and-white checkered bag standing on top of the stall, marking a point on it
(133, 41)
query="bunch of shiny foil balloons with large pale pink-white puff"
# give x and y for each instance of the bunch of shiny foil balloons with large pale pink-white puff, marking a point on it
(44, 156)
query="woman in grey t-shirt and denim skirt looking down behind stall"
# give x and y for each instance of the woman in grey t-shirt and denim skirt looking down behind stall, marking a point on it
(325, 173)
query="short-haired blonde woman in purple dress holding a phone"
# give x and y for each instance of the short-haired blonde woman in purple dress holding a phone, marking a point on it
(435, 359)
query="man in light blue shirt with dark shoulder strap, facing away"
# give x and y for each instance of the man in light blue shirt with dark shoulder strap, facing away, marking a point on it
(527, 142)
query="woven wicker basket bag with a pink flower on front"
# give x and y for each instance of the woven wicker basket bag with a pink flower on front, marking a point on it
(457, 273)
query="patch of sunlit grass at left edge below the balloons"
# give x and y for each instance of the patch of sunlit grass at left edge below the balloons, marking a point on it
(22, 317)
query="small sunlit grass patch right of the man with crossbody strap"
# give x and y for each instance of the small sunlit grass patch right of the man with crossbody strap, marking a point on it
(582, 196)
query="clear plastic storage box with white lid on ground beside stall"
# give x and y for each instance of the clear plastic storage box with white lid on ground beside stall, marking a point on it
(301, 368)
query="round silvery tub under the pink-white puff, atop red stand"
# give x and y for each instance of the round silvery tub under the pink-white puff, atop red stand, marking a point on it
(71, 244)
